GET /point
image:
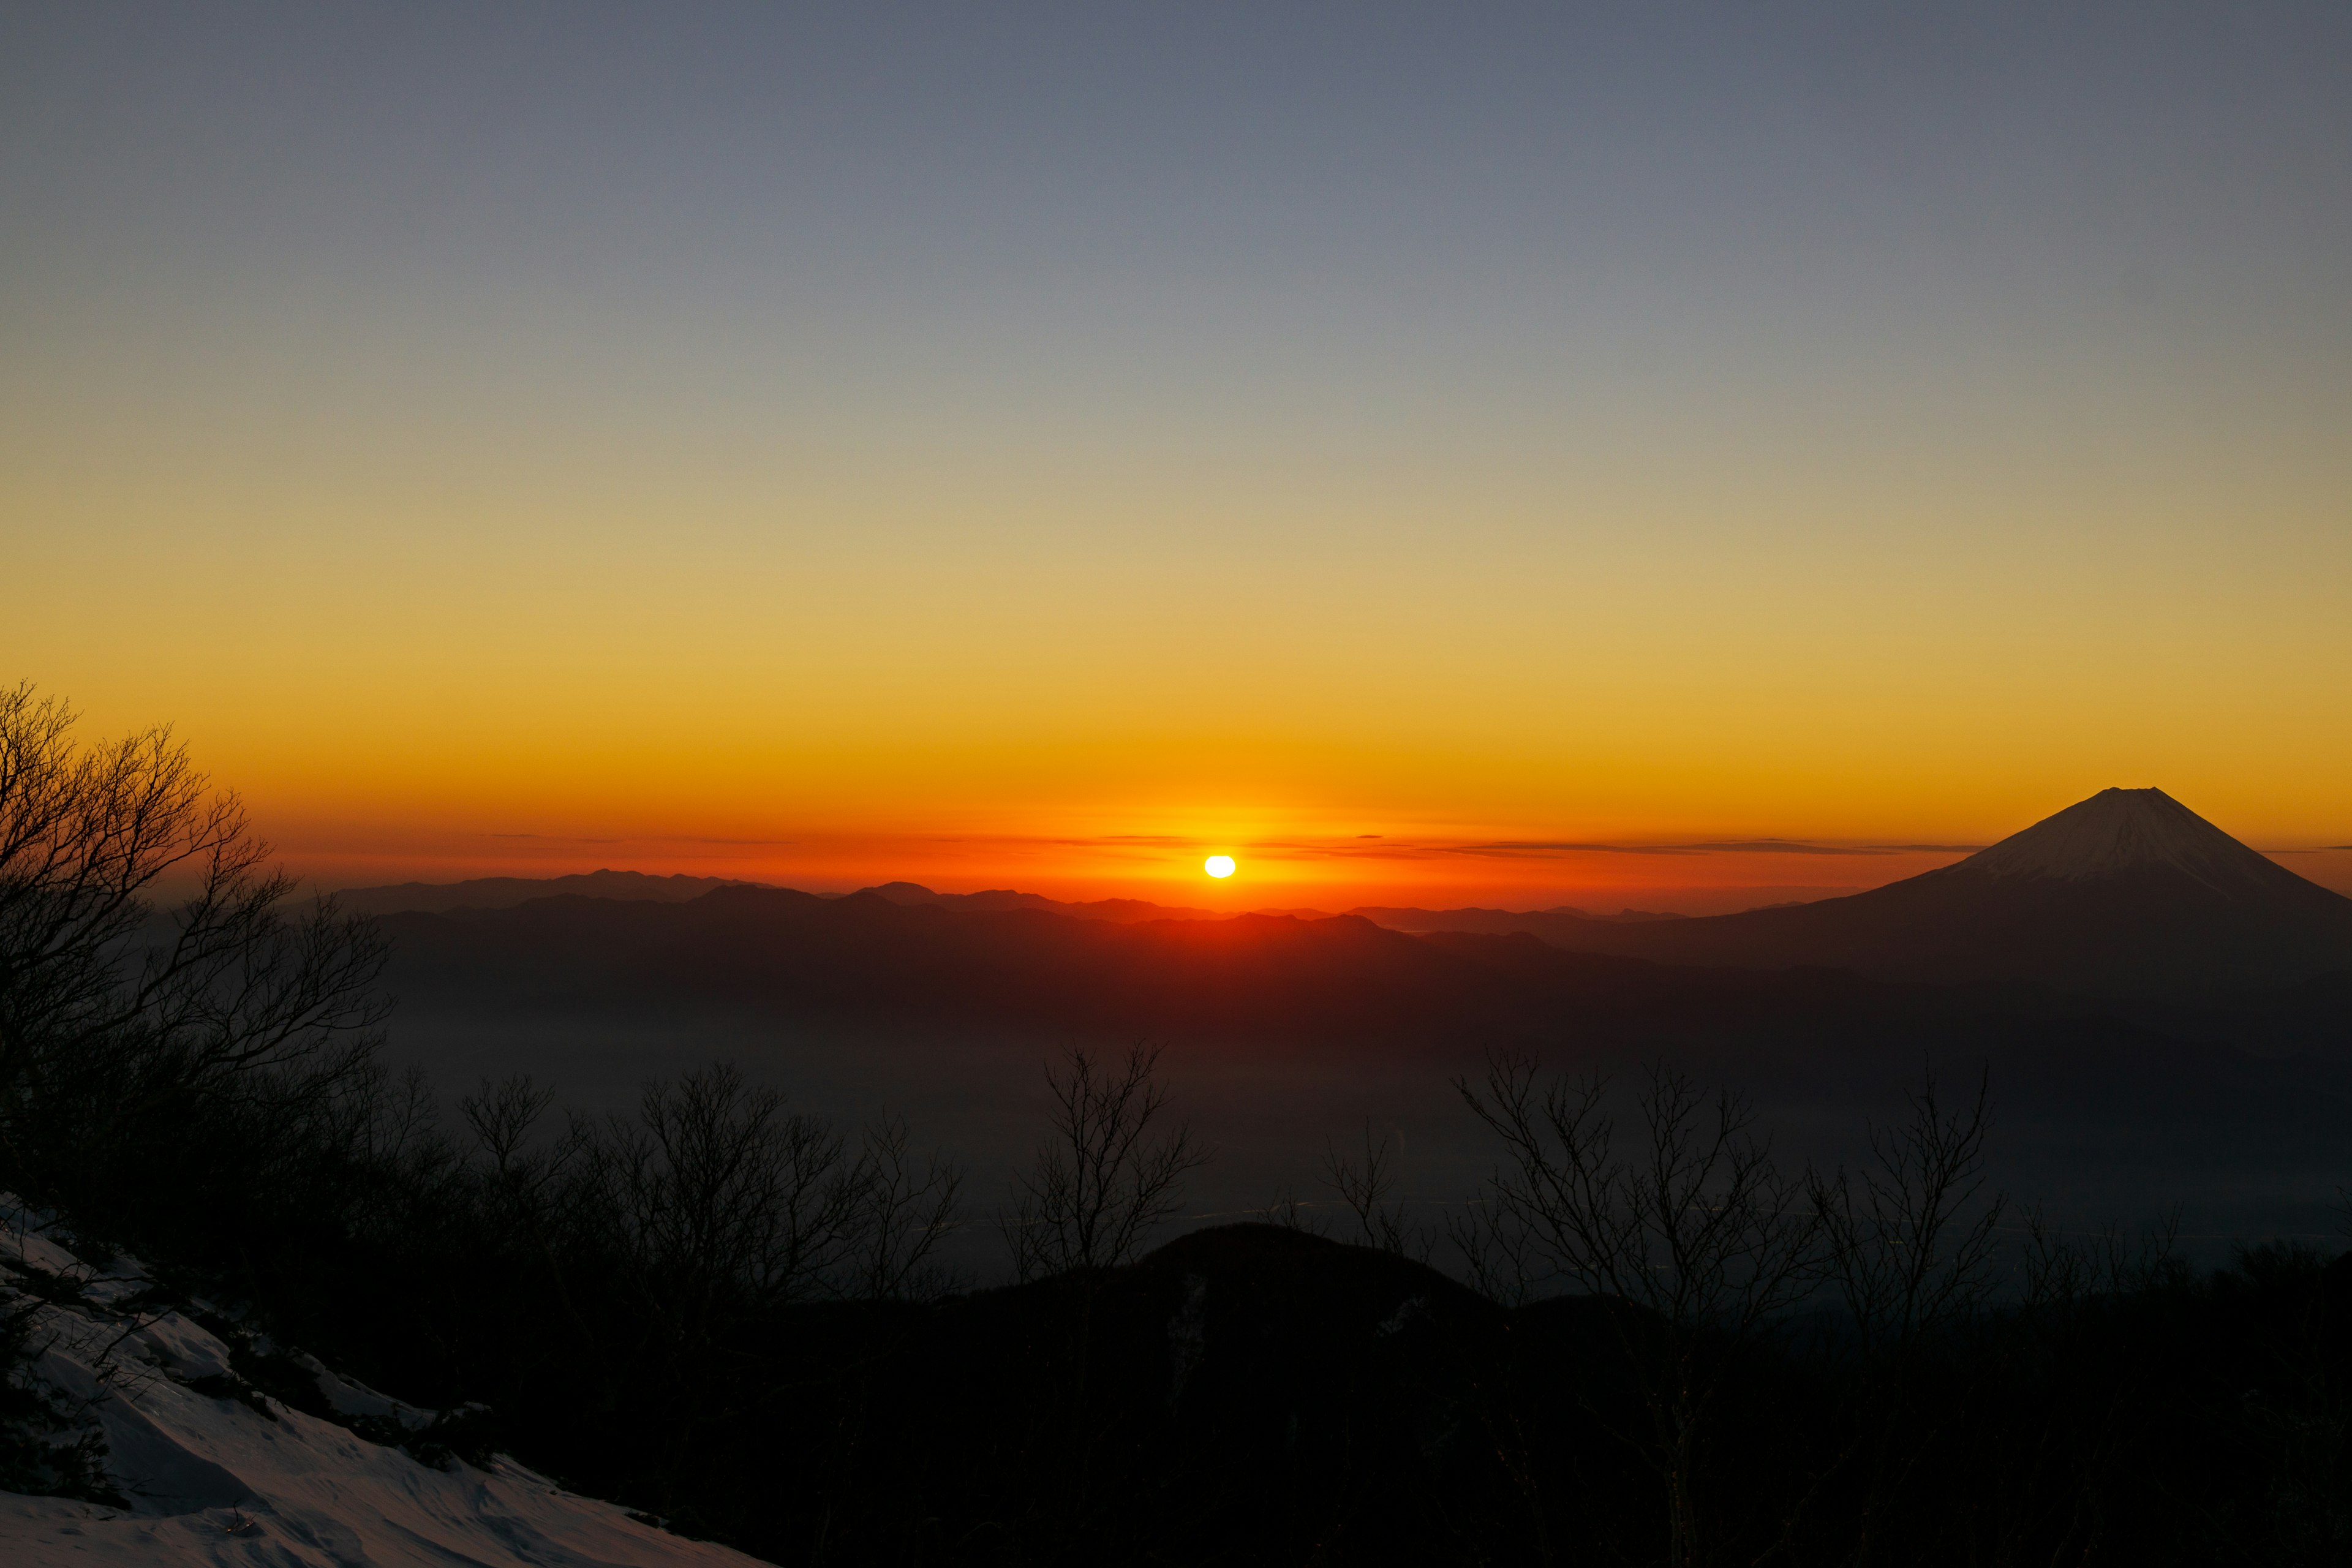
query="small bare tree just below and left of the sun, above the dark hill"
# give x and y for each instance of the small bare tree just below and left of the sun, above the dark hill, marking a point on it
(1107, 1174)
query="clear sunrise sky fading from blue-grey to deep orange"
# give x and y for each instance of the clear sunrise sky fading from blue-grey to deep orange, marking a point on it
(1043, 445)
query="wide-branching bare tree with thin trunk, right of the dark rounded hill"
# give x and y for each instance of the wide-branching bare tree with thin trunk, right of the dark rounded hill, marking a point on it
(1692, 1235)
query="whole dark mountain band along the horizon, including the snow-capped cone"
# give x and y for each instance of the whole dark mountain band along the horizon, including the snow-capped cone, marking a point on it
(2125, 897)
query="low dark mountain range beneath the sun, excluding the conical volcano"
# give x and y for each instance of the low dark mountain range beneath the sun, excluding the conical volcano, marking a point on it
(1335, 981)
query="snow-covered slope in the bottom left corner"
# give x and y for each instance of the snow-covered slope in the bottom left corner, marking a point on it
(211, 1470)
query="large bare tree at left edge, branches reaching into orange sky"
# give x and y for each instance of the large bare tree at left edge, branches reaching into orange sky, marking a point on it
(109, 1010)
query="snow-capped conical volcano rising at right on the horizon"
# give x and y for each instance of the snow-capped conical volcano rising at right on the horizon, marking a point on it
(2127, 894)
